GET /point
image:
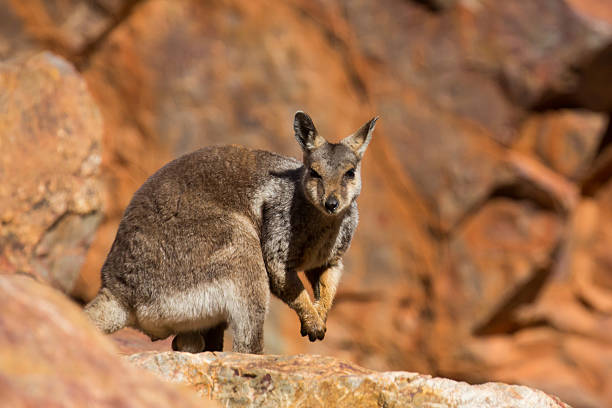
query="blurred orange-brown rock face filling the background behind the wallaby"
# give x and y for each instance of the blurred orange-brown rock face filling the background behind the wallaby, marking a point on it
(484, 250)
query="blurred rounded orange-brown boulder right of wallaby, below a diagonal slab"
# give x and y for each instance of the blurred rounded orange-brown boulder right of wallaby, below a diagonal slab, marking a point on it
(499, 253)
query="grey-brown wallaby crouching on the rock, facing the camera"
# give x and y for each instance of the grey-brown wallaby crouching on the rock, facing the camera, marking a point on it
(208, 236)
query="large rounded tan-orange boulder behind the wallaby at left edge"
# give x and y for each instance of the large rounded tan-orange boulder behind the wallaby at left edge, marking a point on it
(50, 191)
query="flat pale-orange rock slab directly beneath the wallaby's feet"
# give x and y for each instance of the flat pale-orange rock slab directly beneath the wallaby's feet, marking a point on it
(307, 381)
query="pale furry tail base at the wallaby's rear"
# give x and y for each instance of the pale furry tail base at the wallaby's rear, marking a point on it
(107, 312)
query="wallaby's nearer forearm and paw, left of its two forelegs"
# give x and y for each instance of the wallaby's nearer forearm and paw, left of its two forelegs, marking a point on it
(290, 290)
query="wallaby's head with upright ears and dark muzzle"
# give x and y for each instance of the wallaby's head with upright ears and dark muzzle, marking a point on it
(332, 176)
